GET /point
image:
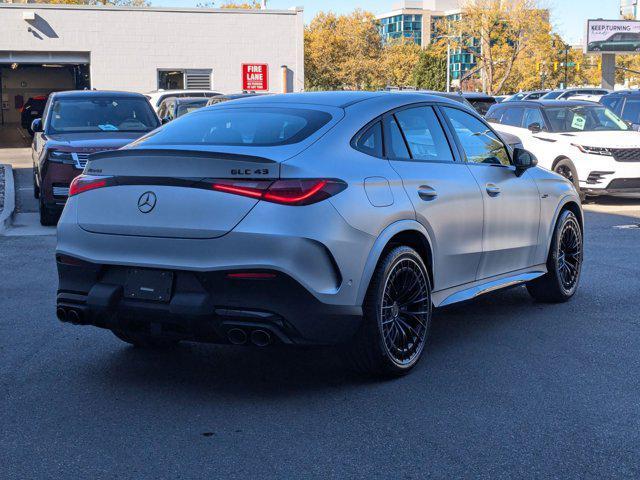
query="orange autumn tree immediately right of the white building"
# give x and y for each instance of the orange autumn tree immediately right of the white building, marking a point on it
(343, 52)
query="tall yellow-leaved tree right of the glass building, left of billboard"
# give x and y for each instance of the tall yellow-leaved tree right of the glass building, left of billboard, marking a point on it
(499, 34)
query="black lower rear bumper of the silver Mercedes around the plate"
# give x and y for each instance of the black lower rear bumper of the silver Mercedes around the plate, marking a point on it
(203, 306)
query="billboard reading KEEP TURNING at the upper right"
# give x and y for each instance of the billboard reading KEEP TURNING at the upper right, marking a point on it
(613, 36)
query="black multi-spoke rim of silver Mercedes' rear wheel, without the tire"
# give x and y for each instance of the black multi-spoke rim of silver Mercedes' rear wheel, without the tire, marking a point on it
(405, 311)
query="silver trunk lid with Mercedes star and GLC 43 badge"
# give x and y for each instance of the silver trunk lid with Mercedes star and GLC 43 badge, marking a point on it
(167, 192)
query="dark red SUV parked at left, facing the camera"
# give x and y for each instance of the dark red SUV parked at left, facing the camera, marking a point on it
(74, 125)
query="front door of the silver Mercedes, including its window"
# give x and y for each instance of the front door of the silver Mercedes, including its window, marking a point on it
(511, 203)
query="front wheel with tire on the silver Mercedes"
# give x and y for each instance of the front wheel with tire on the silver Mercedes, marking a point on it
(564, 263)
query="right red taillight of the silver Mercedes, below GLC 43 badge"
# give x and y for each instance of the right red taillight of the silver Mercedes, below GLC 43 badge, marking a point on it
(285, 192)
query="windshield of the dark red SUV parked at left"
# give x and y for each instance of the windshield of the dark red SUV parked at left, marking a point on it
(103, 114)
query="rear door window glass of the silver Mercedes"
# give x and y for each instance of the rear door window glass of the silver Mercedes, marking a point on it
(424, 134)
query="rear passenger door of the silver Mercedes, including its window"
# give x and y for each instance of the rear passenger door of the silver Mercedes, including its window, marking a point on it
(444, 193)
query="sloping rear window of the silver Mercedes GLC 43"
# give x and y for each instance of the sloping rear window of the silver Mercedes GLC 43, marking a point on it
(241, 127)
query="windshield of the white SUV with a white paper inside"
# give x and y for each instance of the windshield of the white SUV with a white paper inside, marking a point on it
(583, 119)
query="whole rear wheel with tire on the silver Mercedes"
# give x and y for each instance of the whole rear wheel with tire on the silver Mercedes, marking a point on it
(393, 336)
